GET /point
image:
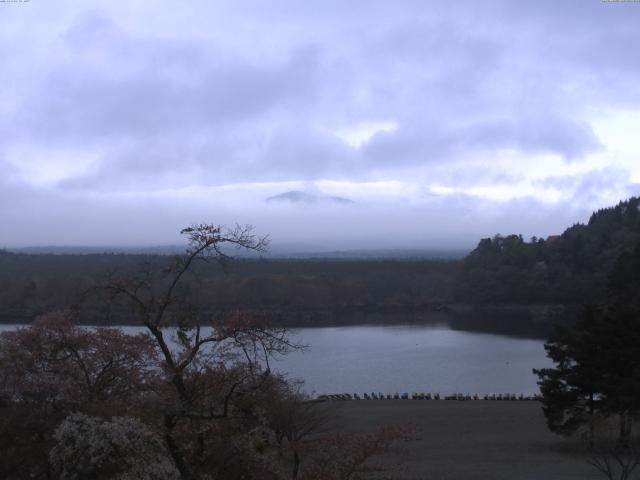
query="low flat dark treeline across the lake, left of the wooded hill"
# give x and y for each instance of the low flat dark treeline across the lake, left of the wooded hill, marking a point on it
(295, 291)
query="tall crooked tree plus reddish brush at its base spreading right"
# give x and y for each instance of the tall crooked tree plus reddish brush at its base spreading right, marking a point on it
(225, 413)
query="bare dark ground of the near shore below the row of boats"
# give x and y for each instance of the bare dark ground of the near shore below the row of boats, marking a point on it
(470, 440)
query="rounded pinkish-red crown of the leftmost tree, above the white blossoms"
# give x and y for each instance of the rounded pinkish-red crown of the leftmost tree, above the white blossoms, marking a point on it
(57, 364)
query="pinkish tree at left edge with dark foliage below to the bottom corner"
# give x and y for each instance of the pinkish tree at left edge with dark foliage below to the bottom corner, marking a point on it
(53, 368)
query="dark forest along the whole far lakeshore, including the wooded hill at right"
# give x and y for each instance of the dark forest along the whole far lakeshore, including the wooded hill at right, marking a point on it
(503, 275)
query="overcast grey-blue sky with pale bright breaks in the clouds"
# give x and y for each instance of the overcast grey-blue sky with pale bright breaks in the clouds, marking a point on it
(443, 122)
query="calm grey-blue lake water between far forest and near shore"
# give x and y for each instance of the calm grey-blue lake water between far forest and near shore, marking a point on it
(420, 358)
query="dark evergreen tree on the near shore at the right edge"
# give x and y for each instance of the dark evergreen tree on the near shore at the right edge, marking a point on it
(597, 372)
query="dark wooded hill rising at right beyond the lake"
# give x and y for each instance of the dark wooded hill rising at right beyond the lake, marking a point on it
(571, 268)
